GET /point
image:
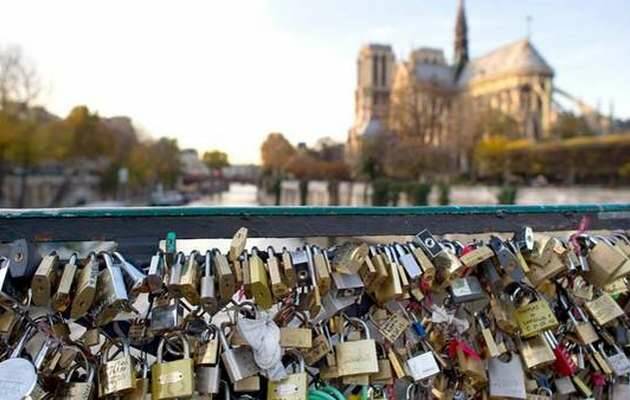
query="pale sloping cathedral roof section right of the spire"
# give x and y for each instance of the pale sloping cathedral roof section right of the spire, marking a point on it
(520, 57)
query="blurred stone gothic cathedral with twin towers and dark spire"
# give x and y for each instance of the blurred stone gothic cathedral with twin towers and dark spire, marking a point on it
(438, 99)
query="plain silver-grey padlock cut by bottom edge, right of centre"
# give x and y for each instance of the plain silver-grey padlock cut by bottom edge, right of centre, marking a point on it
(506, 377)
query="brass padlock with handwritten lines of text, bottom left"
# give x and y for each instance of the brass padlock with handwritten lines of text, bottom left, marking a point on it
(117, 375)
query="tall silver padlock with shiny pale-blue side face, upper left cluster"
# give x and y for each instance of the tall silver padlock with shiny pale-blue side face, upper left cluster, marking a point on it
(111, 294)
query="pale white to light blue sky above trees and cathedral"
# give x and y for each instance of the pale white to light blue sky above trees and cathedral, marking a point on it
(223, 74)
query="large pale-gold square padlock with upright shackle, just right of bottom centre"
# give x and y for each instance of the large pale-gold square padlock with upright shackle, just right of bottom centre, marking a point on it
(357, 356)
